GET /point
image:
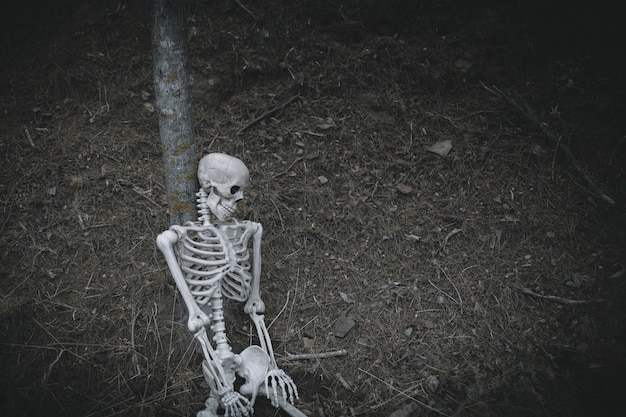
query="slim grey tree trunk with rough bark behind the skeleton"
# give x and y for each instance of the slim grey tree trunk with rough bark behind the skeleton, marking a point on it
(173, 101)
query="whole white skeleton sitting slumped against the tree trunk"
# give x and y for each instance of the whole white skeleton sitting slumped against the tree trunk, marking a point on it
(210, 259)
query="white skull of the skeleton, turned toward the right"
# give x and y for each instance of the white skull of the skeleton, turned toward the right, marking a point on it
(224, 178)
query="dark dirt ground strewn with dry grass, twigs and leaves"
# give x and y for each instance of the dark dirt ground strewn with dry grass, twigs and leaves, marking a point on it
(443, 181)
